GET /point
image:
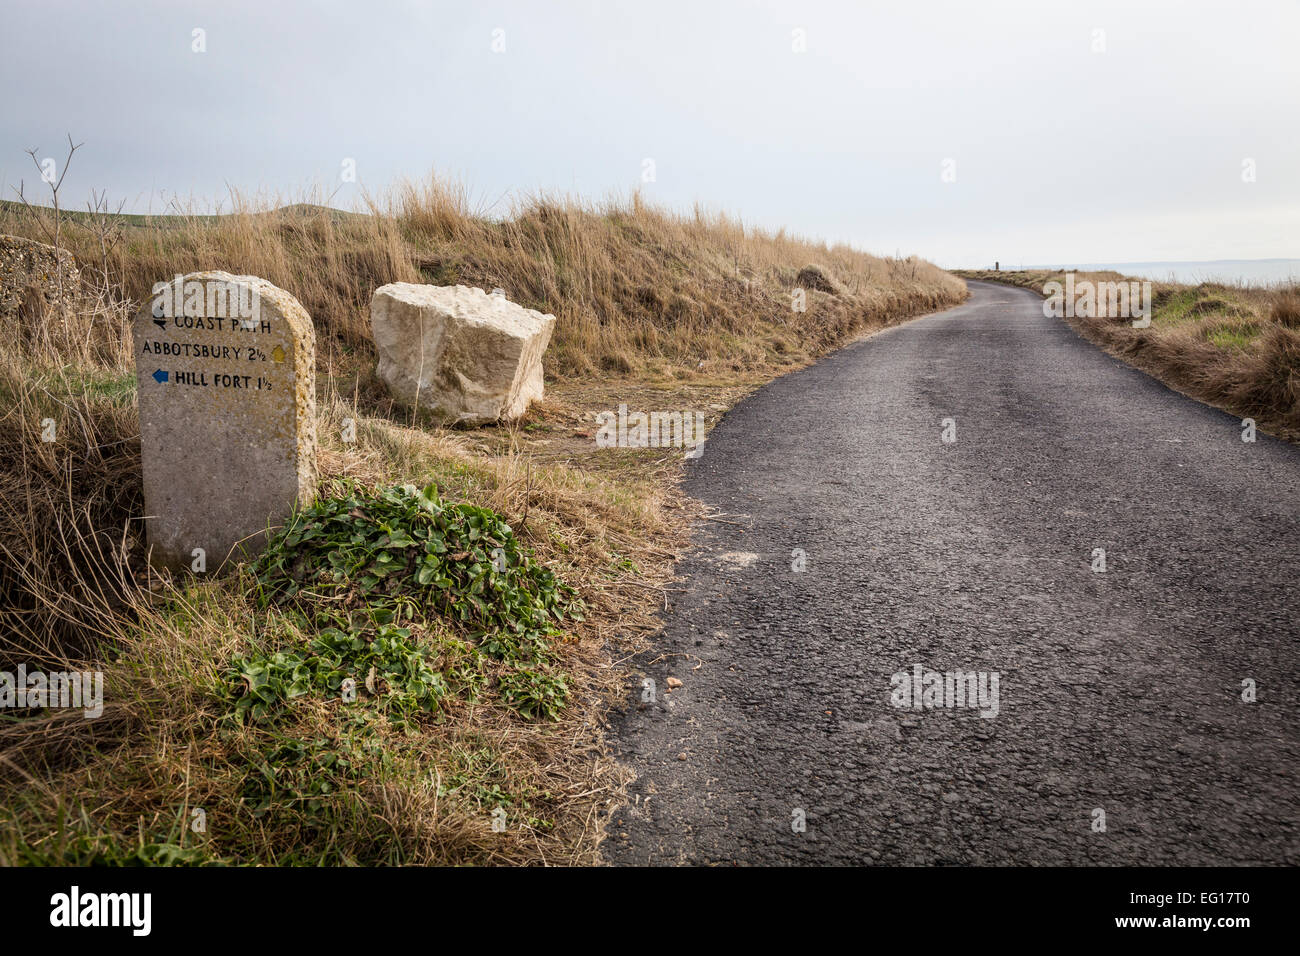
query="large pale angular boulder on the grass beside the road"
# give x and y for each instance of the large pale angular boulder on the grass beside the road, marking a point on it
(469, 357)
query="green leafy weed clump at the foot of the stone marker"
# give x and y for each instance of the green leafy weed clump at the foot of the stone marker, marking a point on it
(423, 600)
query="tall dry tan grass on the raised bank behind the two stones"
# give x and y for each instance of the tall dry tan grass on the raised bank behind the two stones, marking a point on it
(630, 284)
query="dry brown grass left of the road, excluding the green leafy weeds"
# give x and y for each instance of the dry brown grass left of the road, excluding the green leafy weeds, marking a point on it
(688, 309)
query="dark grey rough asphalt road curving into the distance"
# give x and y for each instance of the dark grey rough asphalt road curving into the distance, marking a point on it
(1120, 691)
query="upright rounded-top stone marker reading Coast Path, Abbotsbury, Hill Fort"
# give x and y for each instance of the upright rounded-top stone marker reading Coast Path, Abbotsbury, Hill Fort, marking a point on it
(228, 414)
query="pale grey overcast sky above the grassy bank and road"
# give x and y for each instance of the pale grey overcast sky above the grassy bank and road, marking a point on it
(1059, 152)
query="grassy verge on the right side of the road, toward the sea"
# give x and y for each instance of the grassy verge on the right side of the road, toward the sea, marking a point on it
(1237, 348)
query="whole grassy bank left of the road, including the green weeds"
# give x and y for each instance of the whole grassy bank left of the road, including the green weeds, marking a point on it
(228, 733)
